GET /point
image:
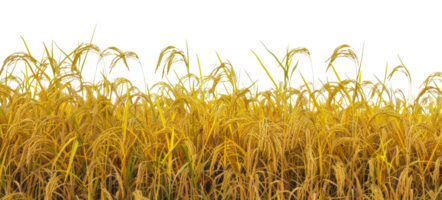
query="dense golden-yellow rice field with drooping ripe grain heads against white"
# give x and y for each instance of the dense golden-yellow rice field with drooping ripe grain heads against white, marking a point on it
(215, 135)
